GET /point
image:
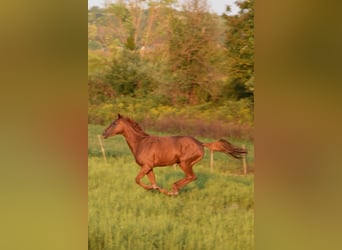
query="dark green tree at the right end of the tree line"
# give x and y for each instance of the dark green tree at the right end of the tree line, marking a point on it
(240, 47)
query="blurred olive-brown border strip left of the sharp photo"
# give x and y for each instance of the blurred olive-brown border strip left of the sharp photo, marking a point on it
(43, 125)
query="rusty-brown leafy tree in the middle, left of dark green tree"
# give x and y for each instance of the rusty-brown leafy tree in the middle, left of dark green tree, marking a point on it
(193, 52)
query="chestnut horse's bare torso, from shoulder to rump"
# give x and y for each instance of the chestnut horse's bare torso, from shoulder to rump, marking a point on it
(168, 150)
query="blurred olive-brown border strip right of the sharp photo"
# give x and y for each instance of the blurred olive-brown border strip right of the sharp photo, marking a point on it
(298, 125)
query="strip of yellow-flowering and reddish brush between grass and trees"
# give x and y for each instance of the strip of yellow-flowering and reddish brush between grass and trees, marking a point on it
(231, 119)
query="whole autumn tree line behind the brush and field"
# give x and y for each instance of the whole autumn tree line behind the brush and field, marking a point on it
(172, 53)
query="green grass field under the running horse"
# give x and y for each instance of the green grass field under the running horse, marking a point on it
(214, 212)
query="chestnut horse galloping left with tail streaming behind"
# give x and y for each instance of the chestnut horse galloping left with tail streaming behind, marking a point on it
(157, 151)
